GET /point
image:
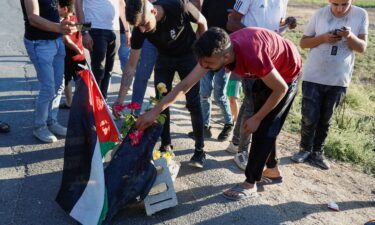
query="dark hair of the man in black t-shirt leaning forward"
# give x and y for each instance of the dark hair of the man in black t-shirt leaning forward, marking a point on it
(135, 10)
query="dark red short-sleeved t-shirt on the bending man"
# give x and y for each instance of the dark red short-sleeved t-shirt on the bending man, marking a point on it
(258, 51)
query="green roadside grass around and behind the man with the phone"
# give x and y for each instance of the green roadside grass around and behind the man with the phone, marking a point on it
(352, 134)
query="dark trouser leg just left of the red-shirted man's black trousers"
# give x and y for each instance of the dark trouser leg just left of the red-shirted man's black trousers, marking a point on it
(241, 138)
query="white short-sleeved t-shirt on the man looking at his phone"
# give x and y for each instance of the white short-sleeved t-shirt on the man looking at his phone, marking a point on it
(332, 63)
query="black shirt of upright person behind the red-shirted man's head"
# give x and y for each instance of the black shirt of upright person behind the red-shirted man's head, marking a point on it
(216, 12)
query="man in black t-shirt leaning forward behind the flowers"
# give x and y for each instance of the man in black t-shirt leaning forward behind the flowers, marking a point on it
(166, 24)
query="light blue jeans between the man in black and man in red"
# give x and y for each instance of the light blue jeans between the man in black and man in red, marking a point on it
(218, 82)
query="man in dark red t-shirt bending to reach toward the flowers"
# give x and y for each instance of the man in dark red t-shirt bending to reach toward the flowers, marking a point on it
(276, 65)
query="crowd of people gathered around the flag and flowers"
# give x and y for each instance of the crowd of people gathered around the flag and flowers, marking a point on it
(237, 43)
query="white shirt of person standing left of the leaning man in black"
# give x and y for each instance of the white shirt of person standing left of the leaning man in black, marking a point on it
(103, 14)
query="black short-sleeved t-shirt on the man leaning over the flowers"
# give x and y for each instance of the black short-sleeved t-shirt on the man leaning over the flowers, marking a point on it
(174, 35)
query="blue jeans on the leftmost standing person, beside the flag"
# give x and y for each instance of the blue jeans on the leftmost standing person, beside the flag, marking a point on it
(47, 57)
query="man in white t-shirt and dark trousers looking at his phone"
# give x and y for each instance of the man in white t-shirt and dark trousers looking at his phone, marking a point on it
(333, 34)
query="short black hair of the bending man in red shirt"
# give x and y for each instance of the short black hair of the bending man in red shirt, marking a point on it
(213, 42)
